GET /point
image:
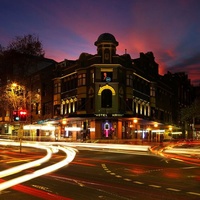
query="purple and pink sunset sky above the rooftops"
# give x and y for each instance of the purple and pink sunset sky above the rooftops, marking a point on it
(66, 28)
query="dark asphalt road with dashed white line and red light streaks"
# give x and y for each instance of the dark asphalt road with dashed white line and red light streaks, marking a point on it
(104, 174)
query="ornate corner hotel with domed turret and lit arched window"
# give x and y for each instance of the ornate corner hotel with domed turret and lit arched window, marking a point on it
(111, 96)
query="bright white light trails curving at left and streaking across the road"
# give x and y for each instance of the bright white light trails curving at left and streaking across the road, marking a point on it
(70, 154)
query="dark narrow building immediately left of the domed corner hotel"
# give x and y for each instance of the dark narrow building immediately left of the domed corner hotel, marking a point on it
(39, 88)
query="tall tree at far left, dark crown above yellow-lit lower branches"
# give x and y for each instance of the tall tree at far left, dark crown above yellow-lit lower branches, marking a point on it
(17, 62)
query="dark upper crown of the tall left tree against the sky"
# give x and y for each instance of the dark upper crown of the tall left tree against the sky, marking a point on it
(19, 58)
